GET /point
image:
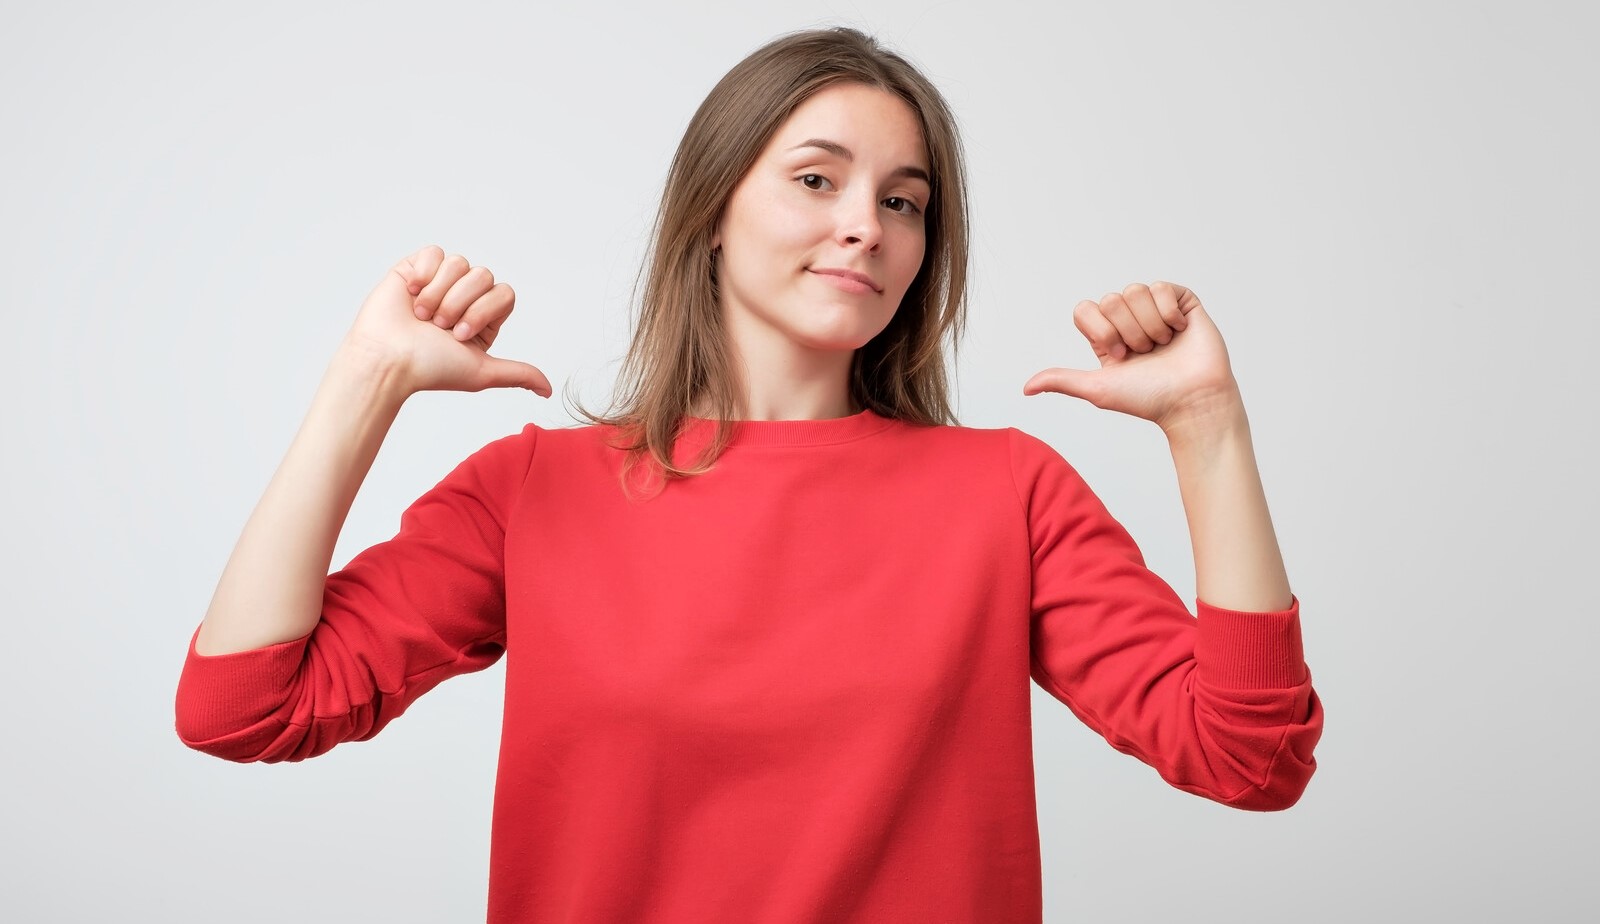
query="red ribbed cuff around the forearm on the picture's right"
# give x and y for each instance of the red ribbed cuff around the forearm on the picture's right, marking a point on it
(1250, 650)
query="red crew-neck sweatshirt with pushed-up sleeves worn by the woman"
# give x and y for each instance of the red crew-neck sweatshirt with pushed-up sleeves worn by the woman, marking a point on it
(791, 690)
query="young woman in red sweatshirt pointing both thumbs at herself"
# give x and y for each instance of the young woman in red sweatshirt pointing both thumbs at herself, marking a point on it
(770, 623)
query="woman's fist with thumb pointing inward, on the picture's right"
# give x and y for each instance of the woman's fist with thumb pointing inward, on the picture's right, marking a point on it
(1161, 357)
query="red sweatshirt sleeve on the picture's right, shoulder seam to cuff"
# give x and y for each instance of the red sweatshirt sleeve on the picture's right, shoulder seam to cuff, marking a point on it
(1218, 706)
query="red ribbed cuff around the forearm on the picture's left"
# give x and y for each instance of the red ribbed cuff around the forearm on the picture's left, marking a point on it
(220, 695)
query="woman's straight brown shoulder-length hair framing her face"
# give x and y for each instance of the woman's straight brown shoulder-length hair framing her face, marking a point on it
(679, 357)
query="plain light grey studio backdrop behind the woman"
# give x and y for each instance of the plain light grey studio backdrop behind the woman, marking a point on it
(1390, 209)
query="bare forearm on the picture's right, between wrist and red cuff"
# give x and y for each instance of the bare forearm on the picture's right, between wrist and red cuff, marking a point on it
(1238, 559)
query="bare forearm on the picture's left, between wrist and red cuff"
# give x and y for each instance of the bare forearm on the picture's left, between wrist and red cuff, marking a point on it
(271, 589)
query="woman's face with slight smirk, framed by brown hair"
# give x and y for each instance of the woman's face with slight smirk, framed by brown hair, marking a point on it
(825, 234)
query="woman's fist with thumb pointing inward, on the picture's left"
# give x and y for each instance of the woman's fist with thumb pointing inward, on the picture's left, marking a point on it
(431, 322)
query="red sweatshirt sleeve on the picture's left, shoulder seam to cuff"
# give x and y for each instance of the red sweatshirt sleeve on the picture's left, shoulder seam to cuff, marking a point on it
(399, 619)
